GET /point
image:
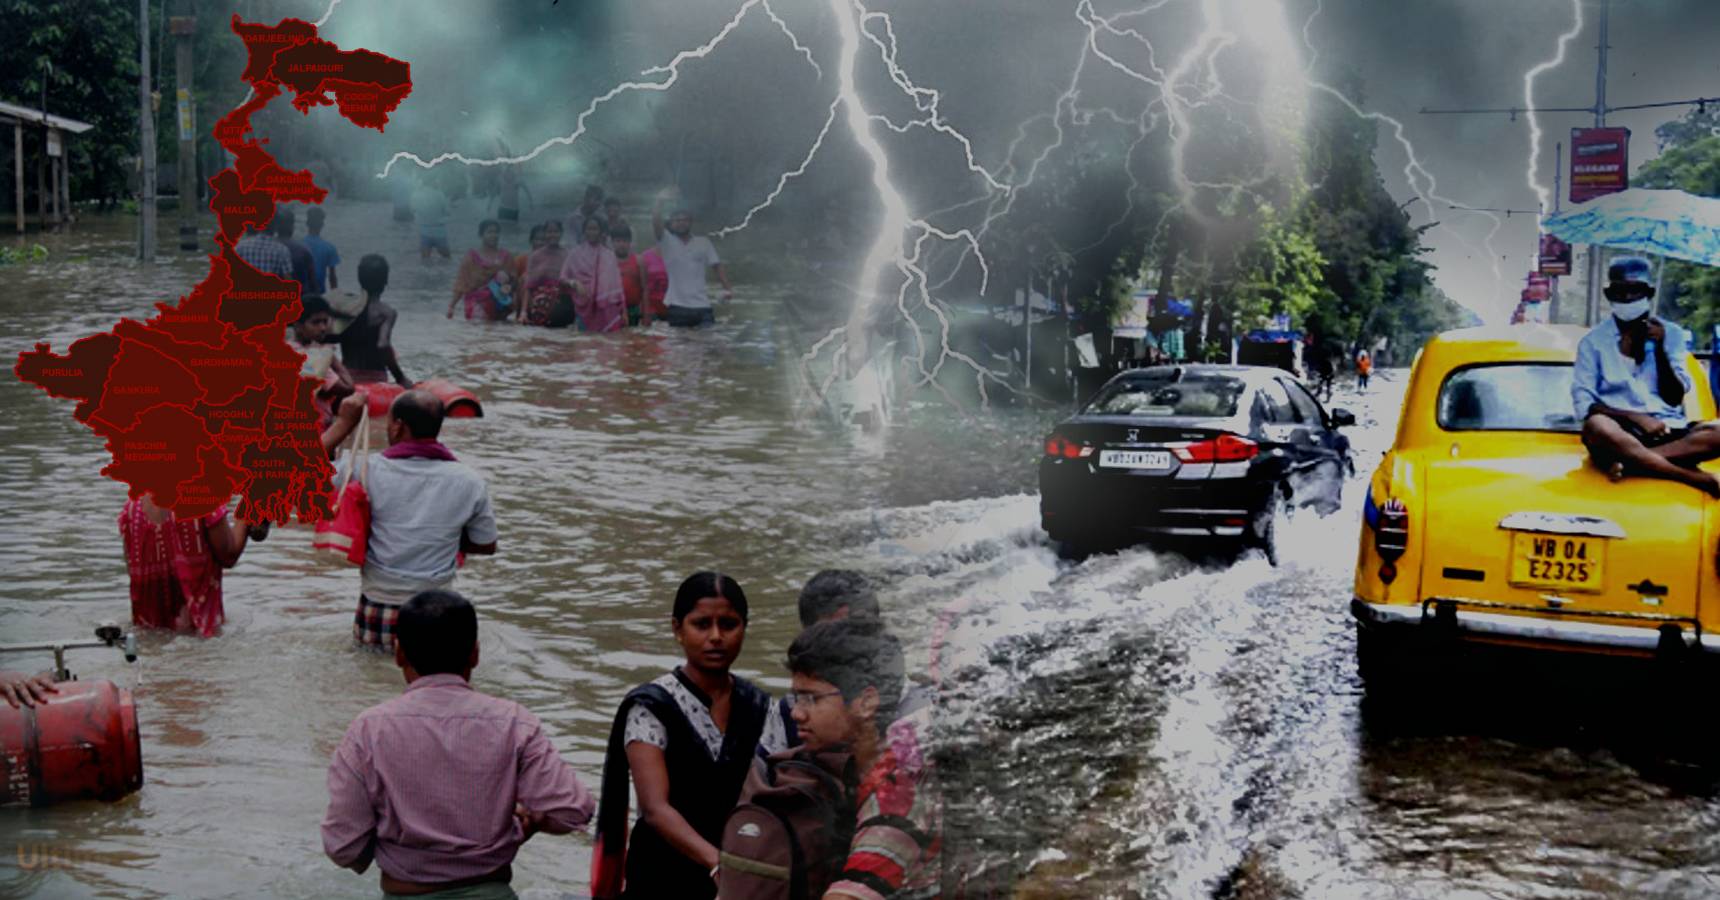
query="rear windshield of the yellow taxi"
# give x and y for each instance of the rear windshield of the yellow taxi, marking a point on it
(1509, 398)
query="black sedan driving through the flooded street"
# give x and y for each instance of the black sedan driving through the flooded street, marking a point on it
(1207, 452)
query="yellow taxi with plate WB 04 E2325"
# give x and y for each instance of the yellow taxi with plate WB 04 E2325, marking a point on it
(1487, 522)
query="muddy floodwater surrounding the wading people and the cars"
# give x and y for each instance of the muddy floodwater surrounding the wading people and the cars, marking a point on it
(1133, 725)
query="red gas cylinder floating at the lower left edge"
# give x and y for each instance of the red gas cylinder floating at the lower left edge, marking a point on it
(80, 744)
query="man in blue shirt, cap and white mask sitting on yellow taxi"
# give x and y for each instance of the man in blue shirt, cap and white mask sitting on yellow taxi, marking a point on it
(1630, 386)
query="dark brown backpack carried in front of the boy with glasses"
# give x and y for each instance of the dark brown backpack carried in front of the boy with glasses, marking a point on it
(790, 832)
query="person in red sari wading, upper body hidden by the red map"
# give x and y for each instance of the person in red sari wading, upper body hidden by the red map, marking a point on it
(176, 565)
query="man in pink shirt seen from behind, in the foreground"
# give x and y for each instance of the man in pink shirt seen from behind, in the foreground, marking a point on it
(441, 786)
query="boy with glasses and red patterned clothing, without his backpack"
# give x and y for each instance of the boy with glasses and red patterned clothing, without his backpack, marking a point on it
(847, 681)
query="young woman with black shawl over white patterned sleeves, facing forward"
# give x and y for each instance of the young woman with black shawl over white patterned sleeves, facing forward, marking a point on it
(687, 739)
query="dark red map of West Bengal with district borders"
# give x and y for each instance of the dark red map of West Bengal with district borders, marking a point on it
(206, 400)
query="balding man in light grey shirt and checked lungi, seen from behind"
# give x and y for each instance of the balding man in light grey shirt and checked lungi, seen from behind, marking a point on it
(426, 510)
